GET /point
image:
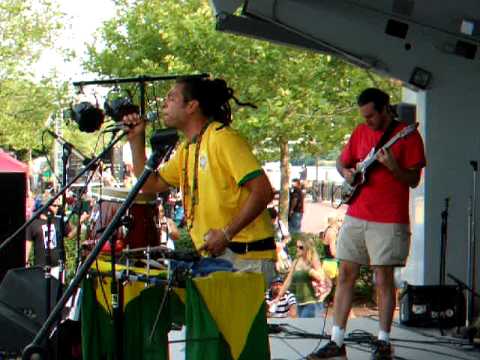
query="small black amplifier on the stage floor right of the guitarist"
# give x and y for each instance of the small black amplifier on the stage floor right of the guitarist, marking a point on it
(432, 306)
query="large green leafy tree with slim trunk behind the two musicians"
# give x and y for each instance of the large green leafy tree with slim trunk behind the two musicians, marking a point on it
(302, 96)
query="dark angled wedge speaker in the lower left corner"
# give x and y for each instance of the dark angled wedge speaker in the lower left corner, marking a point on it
(23, 306)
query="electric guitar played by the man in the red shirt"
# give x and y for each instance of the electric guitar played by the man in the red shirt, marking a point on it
(349, 190)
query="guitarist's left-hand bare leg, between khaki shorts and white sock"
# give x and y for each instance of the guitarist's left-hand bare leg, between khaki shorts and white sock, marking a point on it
(348, 274)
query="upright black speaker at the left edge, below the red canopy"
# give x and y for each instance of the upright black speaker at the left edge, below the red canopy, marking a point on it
(12, 213)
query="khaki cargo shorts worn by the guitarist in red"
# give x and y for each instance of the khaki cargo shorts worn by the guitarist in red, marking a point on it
(372, 243)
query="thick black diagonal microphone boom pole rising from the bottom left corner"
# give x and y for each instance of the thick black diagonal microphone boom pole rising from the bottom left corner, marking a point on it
(150, 167)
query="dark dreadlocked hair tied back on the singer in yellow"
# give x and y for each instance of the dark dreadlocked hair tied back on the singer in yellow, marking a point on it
(213, 96)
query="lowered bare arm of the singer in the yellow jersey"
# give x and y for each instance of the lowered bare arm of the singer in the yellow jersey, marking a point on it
(261, 194)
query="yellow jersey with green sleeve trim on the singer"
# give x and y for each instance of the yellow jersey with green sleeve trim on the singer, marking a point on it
(225, 163)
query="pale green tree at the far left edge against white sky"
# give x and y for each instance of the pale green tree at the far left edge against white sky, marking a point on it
(27, 27)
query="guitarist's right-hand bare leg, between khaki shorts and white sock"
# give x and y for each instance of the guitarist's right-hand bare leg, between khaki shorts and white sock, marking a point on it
(386, 296)
